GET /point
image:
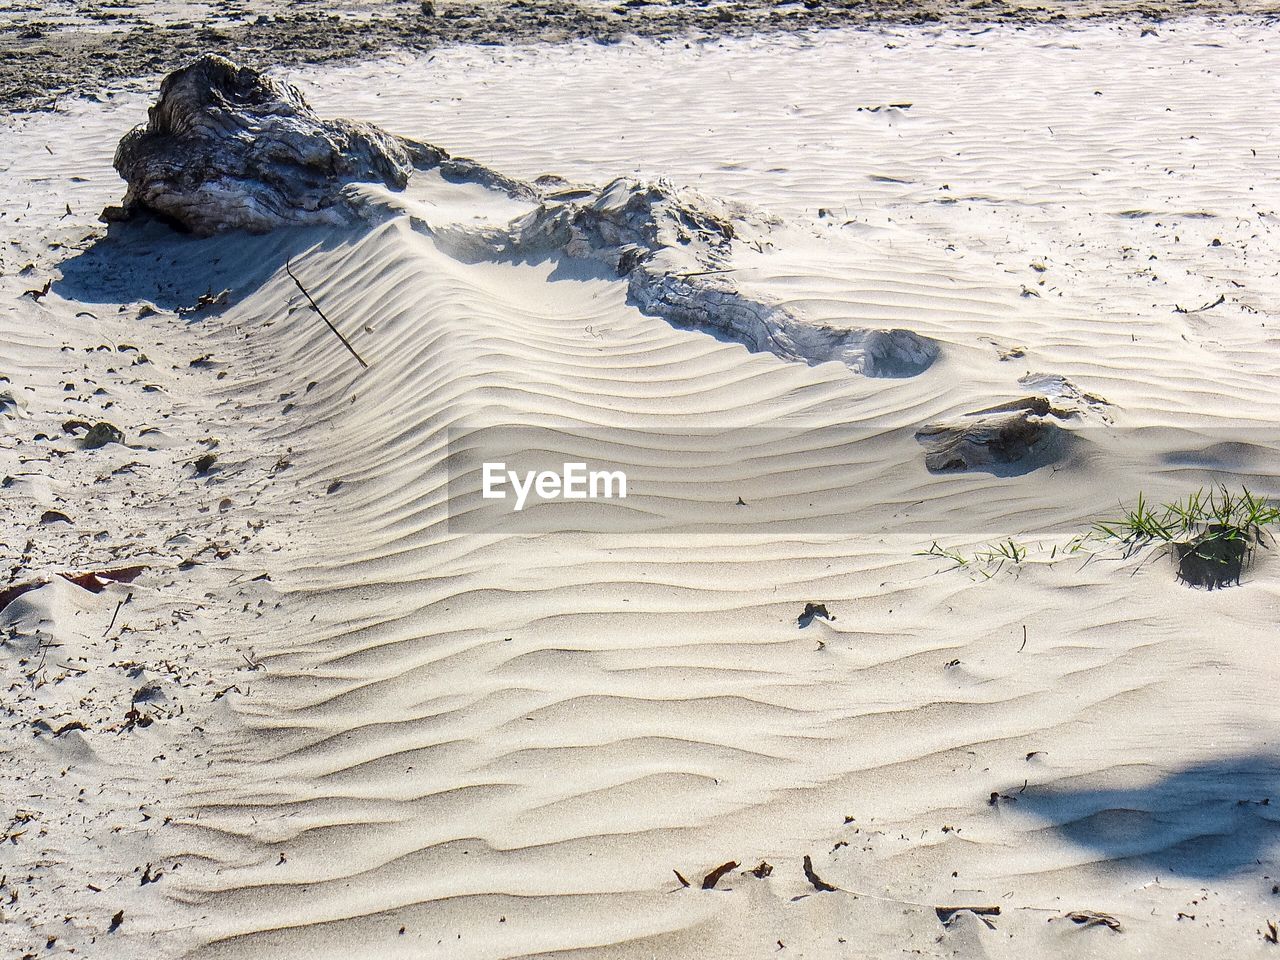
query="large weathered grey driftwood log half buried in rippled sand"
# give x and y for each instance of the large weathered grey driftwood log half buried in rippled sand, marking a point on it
(227, 148)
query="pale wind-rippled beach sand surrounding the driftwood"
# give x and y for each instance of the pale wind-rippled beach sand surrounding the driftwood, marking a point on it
(362, 734)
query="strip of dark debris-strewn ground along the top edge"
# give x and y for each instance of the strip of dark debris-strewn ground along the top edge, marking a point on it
(93, 49)
